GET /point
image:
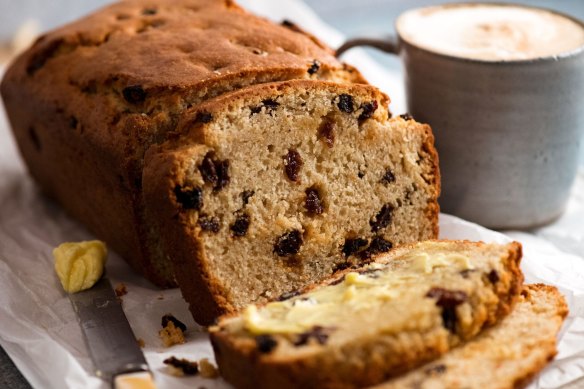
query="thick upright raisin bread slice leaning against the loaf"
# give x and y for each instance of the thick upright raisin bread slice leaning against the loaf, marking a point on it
(276, 186)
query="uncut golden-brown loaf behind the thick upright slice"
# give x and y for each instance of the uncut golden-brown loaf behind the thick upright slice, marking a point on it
(87, 100)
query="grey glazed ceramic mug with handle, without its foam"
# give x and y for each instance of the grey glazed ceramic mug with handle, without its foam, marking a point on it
(508, 133)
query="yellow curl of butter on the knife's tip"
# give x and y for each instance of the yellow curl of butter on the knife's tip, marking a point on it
(80, 265)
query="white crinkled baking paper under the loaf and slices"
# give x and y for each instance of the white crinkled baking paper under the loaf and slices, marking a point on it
(39, 330)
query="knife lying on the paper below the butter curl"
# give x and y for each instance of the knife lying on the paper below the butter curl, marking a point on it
(113, 348)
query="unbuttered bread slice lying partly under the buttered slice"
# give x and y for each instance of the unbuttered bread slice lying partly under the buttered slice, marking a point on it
(506, 356)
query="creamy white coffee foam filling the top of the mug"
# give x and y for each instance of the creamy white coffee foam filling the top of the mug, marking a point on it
(491, 32)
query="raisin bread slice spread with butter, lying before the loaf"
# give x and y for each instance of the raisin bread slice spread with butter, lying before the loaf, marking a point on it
(363, 325)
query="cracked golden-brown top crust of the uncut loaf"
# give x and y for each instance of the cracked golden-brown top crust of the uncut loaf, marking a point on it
(124, 74)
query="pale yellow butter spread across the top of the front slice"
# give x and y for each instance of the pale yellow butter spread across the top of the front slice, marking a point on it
(329, 305)
